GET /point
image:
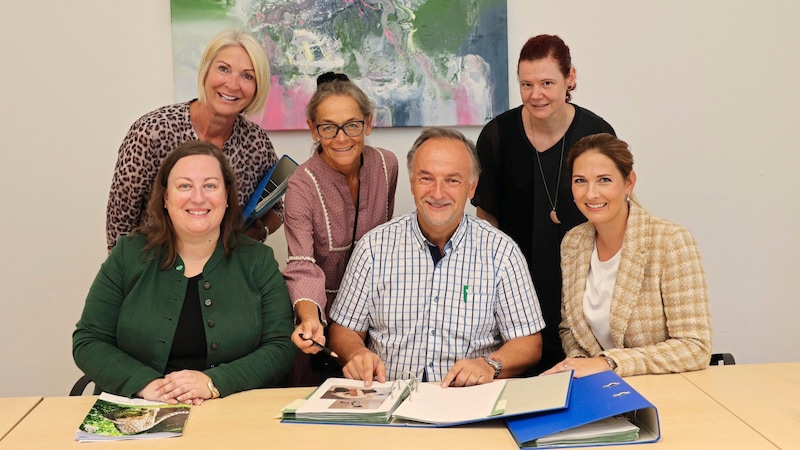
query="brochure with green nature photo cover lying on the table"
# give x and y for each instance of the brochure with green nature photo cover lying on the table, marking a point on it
(114, 418)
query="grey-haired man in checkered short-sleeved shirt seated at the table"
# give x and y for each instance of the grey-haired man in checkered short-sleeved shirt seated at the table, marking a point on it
(437, 294)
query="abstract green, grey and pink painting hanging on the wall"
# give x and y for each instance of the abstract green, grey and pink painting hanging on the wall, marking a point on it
(423, 63)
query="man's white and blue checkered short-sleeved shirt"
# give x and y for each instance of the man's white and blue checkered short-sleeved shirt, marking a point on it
(422, 316)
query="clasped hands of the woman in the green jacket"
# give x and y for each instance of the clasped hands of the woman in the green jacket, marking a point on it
(183, 386)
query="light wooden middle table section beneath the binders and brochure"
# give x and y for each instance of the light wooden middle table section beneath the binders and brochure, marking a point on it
(689, 419)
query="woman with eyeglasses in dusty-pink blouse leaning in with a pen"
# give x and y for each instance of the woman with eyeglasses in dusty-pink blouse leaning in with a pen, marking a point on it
(344, 190)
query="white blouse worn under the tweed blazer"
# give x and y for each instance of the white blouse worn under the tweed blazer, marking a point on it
(597, 297)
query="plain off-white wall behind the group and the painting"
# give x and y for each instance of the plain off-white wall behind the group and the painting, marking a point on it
(703, 91)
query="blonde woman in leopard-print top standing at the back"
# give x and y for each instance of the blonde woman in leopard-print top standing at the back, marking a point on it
(233, 82)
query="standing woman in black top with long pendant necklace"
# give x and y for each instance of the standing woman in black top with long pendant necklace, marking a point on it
(524, 187)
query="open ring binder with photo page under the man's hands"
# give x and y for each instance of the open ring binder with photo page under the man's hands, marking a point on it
(409, 403)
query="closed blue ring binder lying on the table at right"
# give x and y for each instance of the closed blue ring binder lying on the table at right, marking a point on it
(593, 398)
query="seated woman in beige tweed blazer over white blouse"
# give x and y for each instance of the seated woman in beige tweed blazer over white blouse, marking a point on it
(634, 293)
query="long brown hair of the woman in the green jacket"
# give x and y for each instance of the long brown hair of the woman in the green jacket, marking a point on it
(157, 228)
